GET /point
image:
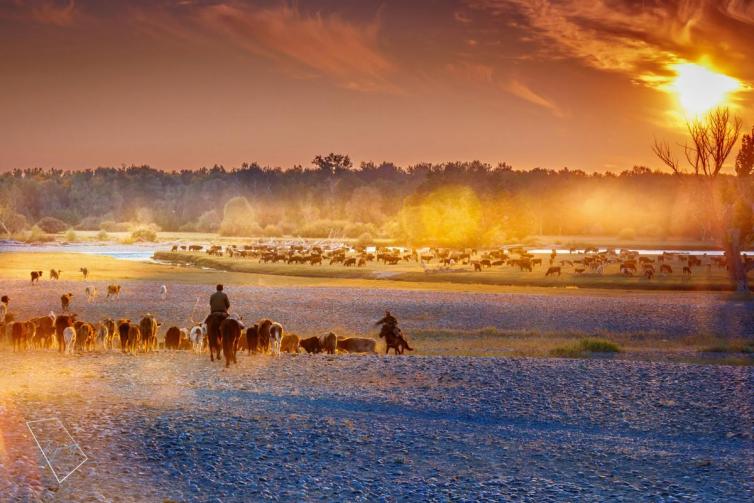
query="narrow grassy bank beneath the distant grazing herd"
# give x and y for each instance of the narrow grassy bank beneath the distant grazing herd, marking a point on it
(702, 279)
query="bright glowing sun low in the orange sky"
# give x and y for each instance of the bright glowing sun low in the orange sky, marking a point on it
(700, 89)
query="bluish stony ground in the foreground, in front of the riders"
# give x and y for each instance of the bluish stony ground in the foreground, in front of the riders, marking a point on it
(173, 426)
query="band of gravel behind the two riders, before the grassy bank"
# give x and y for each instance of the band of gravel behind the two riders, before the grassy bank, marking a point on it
(317, 309)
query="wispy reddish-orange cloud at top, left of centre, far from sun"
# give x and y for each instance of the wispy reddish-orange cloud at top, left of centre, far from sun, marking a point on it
(303, 45)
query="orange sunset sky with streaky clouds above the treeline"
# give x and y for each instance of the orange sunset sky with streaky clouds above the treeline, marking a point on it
(182, 84)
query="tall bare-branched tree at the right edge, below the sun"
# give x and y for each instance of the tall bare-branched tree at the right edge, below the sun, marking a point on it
(711, 141)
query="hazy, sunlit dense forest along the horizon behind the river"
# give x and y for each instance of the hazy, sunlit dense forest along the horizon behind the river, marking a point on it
(448, 203)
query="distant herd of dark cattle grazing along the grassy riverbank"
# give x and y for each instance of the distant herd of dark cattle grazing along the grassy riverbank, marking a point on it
(590, 260)
